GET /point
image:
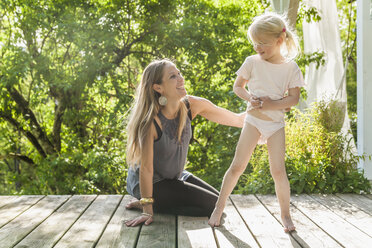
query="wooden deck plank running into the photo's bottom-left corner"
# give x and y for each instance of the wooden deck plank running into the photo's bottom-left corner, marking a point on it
(17, 229)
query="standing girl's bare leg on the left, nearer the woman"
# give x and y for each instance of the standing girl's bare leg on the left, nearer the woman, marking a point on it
(244, 149)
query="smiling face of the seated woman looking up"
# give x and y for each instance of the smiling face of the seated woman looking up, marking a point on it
(173, 84)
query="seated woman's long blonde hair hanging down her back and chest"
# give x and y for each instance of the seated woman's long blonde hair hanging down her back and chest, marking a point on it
(145, 107)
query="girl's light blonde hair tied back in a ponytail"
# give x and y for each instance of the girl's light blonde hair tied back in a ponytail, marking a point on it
(274, 25)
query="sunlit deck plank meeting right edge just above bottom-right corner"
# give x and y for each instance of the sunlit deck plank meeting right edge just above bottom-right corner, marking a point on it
(348, 212)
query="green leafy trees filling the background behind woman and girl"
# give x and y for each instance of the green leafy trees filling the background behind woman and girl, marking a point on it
(68, 72)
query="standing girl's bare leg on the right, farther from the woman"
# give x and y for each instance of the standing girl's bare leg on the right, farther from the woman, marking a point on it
(276, 148)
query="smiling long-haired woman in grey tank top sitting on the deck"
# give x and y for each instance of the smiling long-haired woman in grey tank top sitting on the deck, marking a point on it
(159, 132)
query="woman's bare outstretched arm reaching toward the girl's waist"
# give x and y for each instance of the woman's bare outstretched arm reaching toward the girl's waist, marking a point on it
(205, 108)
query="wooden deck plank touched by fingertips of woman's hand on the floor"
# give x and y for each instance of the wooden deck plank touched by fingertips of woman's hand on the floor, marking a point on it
(117, 234)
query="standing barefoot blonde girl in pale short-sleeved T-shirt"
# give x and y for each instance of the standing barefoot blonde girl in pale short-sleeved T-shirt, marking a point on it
(269, 75)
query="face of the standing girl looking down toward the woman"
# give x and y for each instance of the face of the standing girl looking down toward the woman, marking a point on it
(268, 48)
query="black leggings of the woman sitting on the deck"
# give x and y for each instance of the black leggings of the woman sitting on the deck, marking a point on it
(192, 197)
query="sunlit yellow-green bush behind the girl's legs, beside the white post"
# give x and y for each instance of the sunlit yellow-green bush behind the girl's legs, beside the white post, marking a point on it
(319, 158)
